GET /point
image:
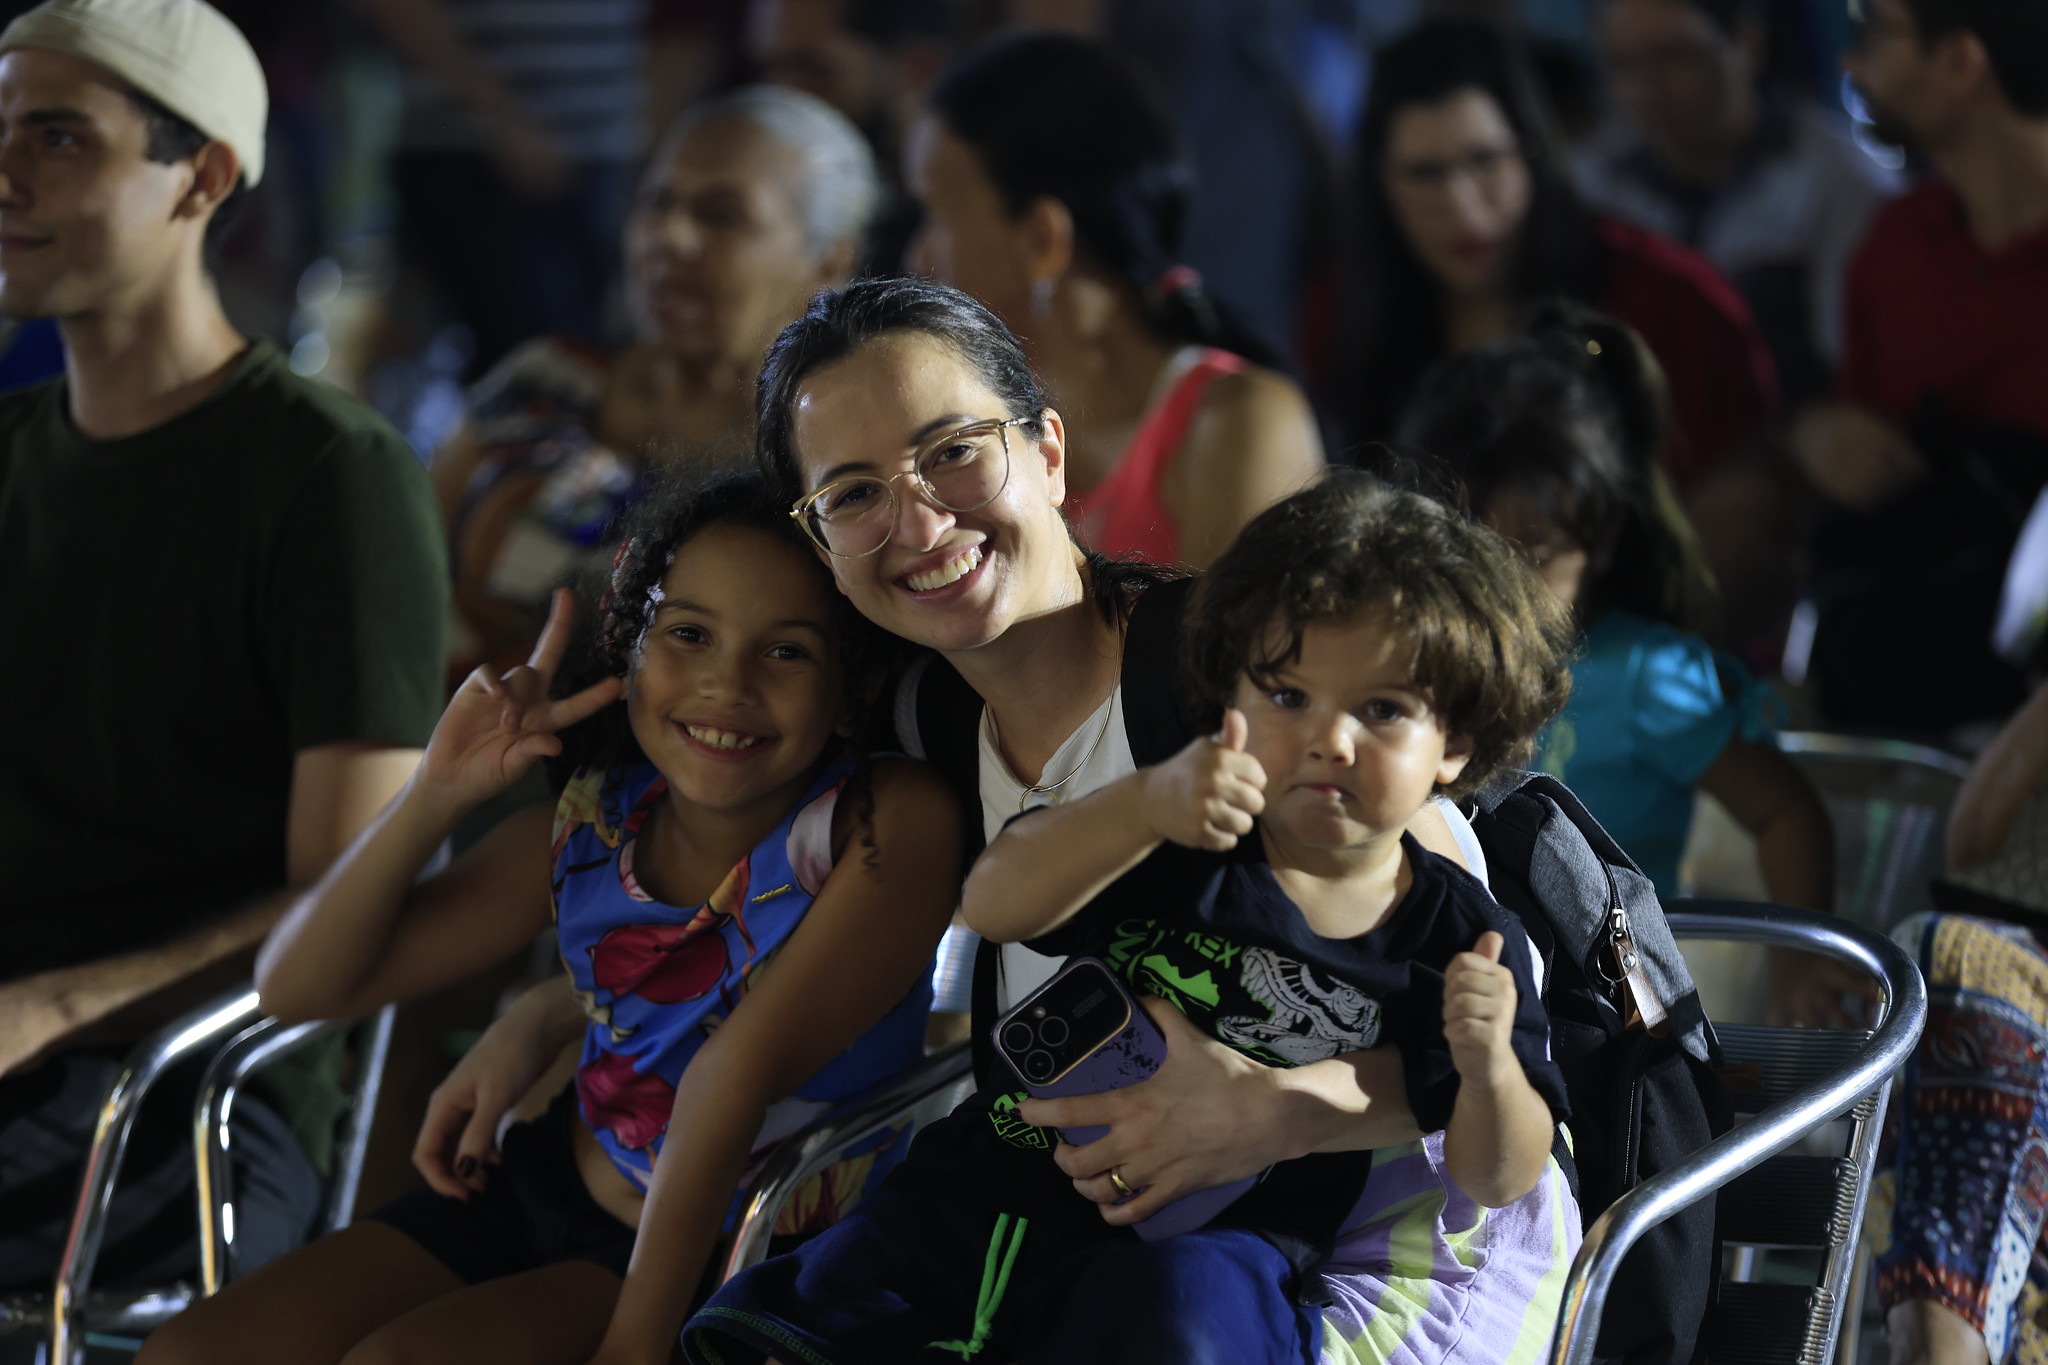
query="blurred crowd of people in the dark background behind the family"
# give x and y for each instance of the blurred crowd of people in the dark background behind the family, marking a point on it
(523, 228)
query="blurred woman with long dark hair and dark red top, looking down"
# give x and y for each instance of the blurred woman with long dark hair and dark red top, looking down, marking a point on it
(1467, 218)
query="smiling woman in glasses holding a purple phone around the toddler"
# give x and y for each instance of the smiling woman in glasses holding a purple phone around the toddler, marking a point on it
(931, 470)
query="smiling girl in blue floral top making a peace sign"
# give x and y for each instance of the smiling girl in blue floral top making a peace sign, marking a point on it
(746, 910)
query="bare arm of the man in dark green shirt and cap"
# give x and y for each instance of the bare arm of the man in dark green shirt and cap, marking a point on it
(335, 793)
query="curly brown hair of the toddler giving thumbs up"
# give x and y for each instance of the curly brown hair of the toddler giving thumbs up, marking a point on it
(1492, 644)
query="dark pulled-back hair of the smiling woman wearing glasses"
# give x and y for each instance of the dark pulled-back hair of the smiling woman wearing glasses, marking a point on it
(841, 322)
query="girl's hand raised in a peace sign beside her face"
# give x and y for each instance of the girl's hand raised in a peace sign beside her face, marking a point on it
(501, 728)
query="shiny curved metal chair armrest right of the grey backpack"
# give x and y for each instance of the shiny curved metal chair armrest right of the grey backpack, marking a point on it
(1904, 1012)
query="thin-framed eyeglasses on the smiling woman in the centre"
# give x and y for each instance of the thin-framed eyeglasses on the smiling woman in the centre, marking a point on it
(957, 472)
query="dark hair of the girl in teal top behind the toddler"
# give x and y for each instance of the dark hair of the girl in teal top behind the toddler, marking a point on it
(1572, 414)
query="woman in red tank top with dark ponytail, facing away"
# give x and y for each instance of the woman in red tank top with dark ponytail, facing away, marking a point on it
(1056, 189)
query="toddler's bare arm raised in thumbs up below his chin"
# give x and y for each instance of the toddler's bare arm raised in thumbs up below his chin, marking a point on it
(1039, 873)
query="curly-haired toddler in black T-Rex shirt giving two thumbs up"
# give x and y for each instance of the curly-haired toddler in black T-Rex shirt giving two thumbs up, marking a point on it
(1359, 650)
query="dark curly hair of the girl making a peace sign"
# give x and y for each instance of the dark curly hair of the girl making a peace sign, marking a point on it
(615, 607)
